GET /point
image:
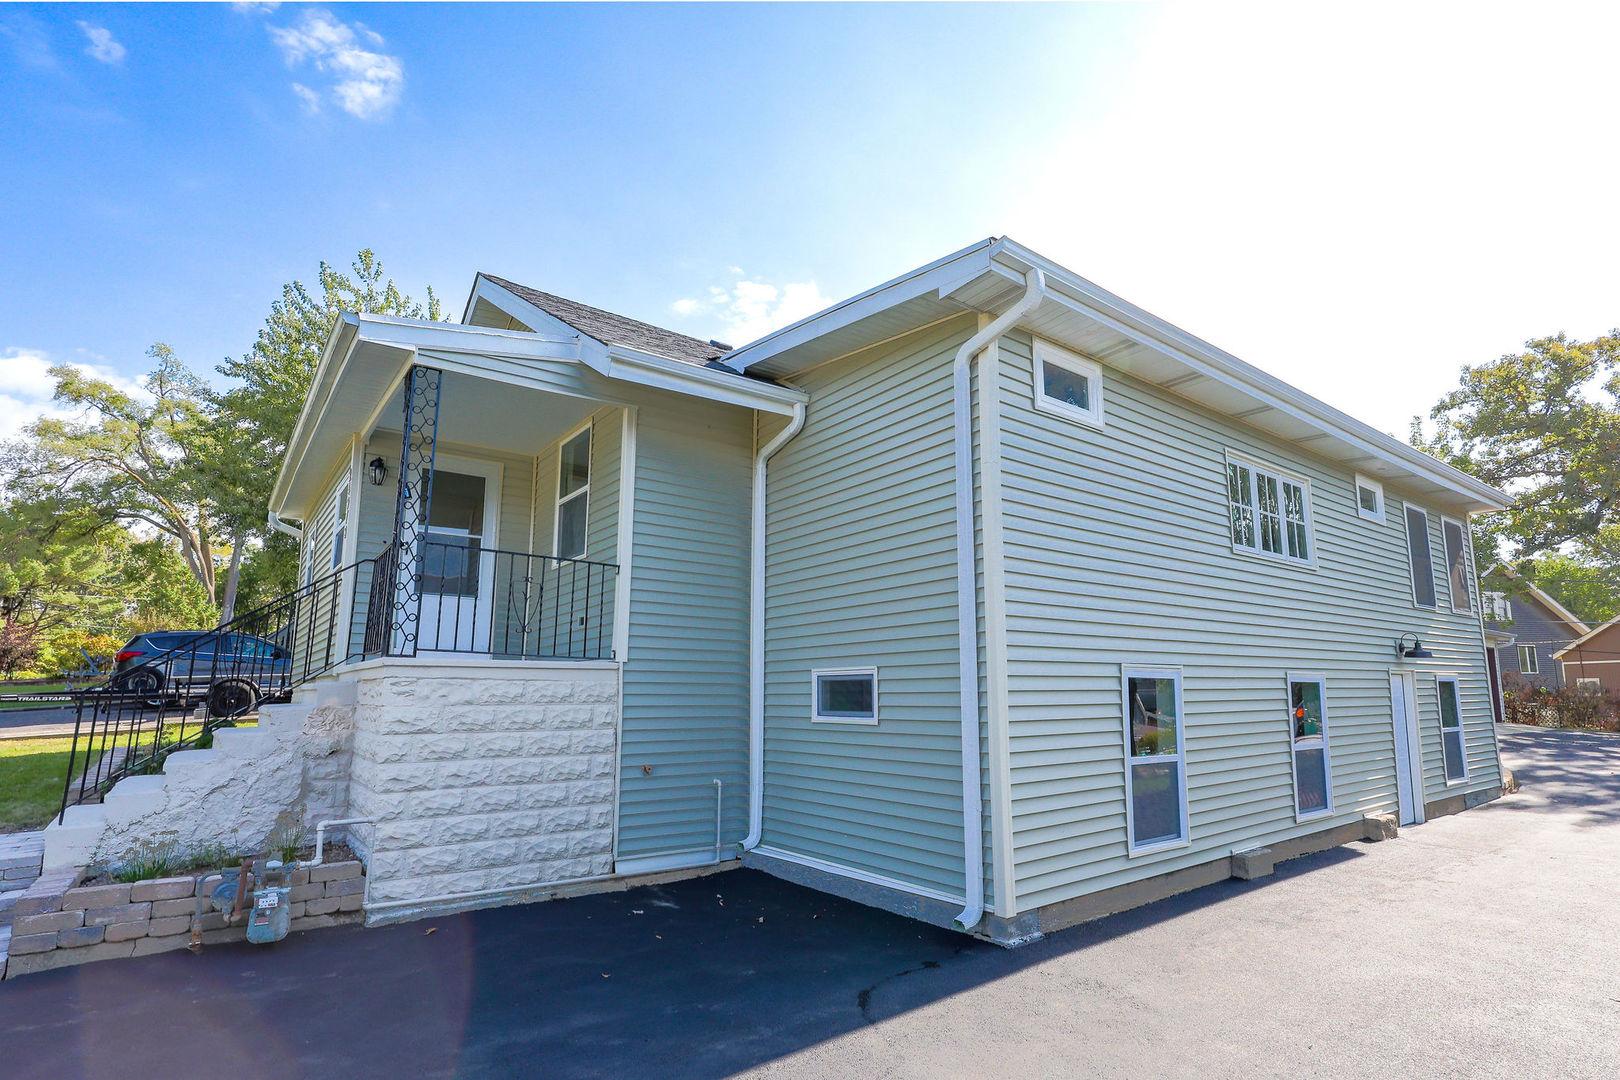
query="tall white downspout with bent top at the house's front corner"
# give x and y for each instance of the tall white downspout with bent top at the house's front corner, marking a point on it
(966, 597)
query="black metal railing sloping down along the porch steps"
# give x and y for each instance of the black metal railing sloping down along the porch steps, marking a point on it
(163, 702)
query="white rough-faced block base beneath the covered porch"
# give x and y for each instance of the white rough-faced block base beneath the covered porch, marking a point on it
(482, 776)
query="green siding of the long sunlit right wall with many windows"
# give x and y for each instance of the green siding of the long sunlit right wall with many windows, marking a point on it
(1119, 551)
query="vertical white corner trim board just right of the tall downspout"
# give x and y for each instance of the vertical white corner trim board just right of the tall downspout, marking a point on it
(997, 691)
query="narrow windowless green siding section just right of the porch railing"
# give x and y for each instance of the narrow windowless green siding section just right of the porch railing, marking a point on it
(686, 681)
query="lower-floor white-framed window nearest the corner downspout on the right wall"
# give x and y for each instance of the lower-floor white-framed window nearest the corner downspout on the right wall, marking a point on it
(1156, 776)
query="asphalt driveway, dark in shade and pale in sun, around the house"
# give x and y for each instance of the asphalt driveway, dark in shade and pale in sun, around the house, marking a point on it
(1485, 945)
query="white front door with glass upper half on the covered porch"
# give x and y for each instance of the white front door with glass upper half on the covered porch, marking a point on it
(458, 564)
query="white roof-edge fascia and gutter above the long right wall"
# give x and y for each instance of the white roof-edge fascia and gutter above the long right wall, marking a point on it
(1226, 368)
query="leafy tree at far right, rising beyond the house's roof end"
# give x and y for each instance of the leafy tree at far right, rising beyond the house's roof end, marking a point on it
(1543, 427)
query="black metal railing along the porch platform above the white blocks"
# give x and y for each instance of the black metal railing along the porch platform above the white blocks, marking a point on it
(490, 602)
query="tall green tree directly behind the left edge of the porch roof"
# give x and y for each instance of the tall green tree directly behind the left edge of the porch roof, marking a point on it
(255, 419)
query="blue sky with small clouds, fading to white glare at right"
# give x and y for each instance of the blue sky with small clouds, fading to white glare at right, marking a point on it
(1355, 200)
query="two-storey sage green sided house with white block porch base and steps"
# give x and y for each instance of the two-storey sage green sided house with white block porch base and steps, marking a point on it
(983, 597)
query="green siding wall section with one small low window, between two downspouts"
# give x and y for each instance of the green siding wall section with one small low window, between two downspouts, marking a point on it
(861, 572)
